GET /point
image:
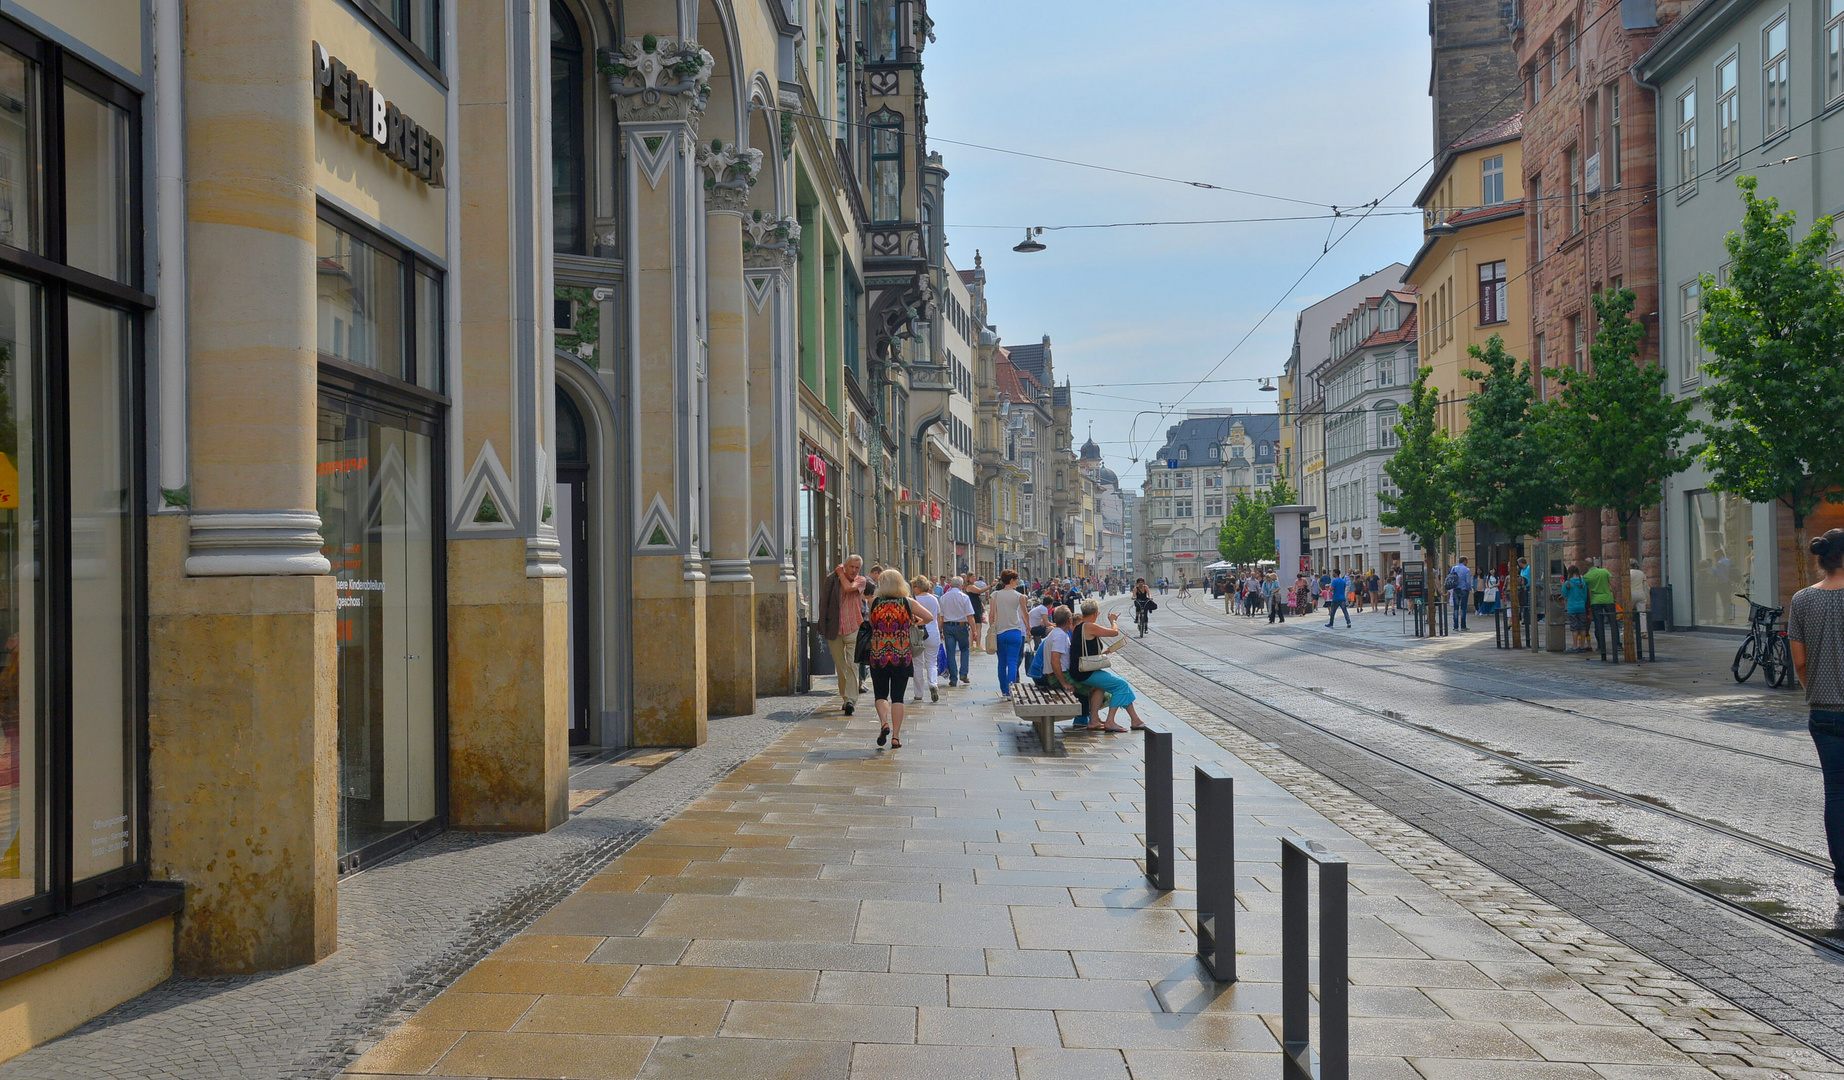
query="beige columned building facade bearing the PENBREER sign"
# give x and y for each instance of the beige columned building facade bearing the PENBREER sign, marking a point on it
(423, 355)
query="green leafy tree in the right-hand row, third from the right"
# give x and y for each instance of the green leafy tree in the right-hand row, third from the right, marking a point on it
(1506, 464)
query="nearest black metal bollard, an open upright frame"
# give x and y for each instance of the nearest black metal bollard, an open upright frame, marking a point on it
(1334, 965)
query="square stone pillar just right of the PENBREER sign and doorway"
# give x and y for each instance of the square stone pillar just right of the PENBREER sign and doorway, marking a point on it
(508, 602)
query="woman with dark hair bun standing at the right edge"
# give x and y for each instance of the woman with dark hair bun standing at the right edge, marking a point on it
(1815, 629)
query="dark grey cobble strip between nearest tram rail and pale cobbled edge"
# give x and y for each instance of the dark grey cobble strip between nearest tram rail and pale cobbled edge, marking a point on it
(1766, 970)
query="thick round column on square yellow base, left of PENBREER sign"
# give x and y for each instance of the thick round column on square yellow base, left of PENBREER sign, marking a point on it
(241, 694)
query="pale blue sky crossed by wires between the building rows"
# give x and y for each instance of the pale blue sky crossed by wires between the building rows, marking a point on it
(1321, 100)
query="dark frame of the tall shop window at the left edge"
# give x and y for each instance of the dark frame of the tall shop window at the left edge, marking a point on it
(58, 287)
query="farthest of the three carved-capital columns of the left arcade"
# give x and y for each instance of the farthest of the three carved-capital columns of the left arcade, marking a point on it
(770, 253)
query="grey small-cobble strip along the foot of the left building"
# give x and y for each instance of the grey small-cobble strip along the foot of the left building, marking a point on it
(407, 930)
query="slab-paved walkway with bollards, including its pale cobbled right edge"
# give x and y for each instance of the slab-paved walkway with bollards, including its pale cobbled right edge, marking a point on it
(967, 908)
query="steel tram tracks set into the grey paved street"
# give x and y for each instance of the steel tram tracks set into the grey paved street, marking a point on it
(1762, 847)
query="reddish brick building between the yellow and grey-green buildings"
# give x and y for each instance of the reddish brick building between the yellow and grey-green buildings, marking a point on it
(1590, 178)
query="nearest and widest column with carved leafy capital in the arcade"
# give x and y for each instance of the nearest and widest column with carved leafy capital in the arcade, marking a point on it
(661, 86)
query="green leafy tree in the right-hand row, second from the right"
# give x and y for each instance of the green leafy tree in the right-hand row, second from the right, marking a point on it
(1618, 430)
